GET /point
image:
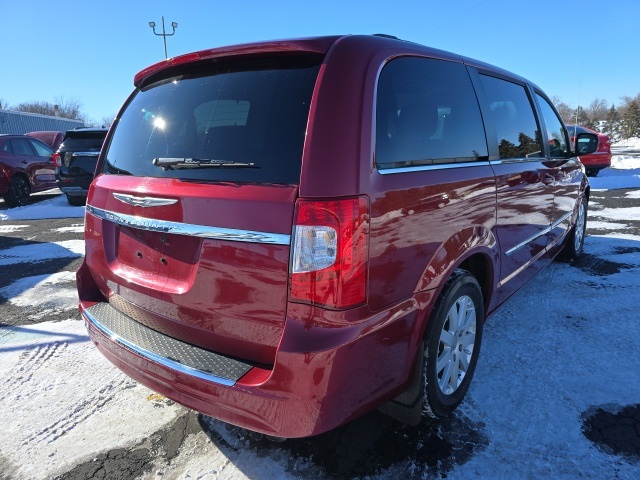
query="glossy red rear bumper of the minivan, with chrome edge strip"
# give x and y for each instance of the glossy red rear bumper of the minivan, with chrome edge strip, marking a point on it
(323, 376)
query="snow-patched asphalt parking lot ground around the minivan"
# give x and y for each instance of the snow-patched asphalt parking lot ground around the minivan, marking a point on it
(556, 393)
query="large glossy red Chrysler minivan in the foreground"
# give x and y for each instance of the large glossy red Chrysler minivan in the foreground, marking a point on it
(286, 235)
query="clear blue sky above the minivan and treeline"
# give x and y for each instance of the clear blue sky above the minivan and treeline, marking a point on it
(90, 51)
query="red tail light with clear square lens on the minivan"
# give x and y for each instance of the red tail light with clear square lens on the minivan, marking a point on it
(330, 252)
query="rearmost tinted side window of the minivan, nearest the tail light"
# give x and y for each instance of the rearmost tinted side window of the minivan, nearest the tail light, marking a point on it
(427, 113)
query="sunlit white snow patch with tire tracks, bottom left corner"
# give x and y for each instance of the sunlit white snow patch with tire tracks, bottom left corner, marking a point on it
(61, 400)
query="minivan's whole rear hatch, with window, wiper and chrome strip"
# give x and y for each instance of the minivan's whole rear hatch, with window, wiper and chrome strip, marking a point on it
(189, 220)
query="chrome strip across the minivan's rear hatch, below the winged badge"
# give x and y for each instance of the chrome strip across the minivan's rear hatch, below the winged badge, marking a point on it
(188, 229)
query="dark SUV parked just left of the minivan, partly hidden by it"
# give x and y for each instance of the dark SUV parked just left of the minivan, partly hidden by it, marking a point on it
(76, 160)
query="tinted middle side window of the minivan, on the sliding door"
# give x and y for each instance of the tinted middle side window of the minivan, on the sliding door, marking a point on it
(513, 118)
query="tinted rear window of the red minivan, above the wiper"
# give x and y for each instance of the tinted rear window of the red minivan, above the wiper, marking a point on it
(240, 121)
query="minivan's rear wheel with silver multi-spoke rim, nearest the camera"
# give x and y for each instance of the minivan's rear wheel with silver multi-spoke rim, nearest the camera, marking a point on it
(452, 341)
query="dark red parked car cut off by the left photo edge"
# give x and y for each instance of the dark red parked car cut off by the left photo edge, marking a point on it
(26, 166)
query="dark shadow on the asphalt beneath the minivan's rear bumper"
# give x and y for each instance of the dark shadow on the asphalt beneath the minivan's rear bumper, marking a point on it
(368, 446)
